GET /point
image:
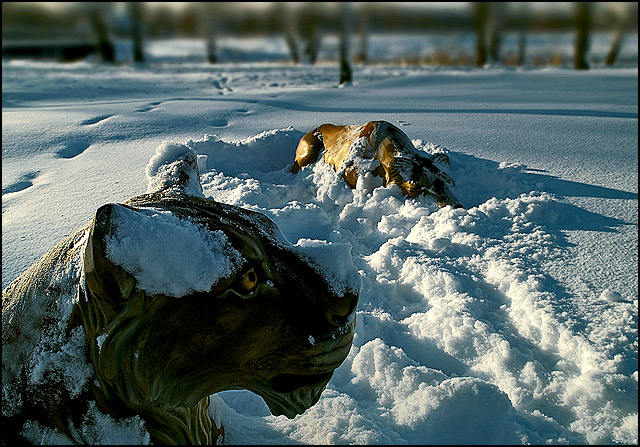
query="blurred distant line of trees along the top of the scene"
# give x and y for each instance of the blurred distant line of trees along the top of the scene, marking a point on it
(304, 25)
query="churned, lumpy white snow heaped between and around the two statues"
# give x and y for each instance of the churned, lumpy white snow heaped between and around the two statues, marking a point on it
(462, 291)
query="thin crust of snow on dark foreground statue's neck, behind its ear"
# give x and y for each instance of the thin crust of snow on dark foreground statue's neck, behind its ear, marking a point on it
(44, 350)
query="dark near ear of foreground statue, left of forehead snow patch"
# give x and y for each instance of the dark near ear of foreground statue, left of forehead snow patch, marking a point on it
(105, 280)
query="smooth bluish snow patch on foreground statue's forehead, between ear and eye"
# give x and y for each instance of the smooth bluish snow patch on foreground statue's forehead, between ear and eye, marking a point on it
(168, 255)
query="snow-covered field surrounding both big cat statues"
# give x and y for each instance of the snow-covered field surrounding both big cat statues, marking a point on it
(513, 320)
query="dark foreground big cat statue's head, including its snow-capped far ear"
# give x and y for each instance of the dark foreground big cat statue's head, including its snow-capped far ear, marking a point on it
(243, 309)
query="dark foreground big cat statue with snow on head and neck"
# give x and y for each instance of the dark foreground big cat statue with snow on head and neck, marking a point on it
(121, 332)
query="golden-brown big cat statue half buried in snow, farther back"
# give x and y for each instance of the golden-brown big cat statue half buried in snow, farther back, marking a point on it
(381, 148)
